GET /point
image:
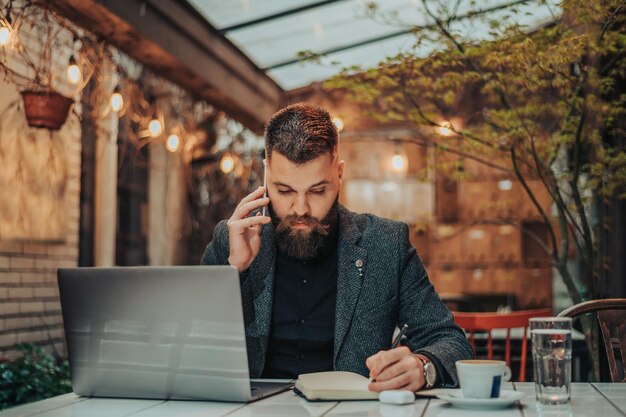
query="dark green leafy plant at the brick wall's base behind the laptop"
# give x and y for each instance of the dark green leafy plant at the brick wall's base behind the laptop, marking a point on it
(34, 376)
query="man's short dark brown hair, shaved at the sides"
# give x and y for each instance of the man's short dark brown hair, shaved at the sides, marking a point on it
(301, 132)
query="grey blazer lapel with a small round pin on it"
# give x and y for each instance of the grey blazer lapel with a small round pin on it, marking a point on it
(352, 261)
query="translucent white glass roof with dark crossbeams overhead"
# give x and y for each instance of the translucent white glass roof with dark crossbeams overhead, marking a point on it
(272, 32)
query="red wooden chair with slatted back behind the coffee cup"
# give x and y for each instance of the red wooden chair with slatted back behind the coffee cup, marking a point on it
(486, 322)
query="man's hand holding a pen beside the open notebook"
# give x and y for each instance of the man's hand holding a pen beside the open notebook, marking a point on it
(397, 368)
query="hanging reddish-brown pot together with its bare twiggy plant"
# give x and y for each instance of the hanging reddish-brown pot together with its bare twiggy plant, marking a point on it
(47, 58)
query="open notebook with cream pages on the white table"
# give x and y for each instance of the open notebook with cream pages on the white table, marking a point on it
(334, 386)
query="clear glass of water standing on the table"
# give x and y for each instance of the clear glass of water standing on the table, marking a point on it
(552, 358)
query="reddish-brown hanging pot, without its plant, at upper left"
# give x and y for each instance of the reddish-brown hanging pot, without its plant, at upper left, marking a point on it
(46, 109)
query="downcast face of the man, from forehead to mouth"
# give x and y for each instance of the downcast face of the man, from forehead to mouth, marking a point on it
(306, 190)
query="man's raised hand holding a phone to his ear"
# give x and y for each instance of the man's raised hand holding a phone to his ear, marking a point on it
(243, 231)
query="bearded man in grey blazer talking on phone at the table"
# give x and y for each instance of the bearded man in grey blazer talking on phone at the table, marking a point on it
(324, 288)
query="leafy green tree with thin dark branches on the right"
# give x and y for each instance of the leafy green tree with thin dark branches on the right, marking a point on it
(548, 105)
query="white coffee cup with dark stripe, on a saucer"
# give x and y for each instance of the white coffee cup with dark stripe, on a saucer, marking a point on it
(482, 378)
